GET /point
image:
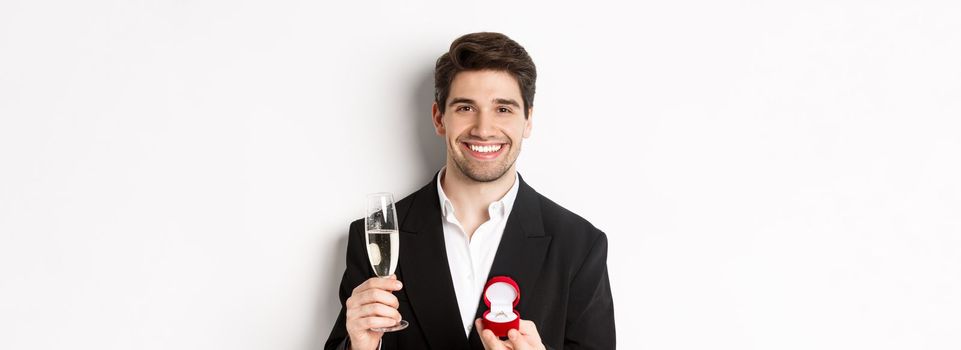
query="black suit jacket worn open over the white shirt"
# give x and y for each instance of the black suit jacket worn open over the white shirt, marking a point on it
(558, 259)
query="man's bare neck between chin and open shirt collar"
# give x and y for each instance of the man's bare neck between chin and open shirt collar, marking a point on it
(473, 196)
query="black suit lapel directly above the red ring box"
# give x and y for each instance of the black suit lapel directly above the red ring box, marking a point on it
(520, 254)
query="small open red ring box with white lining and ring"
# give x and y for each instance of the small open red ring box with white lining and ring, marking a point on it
(501, 295)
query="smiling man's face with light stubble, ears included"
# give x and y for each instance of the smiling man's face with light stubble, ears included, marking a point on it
(484, 123)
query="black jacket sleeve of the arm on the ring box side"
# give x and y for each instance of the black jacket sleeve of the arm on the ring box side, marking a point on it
(590, 318)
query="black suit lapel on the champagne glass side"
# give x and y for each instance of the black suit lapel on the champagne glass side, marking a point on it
(428, 283)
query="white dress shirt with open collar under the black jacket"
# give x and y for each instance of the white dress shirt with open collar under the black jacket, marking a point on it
(470, 260)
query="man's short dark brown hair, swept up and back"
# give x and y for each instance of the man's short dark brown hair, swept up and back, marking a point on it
(482, 51)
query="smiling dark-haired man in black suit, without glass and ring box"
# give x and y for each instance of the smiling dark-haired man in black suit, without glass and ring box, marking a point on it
(477, 219)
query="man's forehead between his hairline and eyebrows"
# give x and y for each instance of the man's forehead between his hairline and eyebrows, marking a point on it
(485, 86)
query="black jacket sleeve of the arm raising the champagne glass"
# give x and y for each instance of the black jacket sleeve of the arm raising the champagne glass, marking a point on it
(358, 270)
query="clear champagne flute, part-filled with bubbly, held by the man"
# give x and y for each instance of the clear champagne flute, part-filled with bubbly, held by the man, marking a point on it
(383, 241)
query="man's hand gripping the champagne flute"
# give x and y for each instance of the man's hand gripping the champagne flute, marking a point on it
(371, 305)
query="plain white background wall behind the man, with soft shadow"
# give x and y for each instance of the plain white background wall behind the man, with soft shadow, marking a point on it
(180, 174)
